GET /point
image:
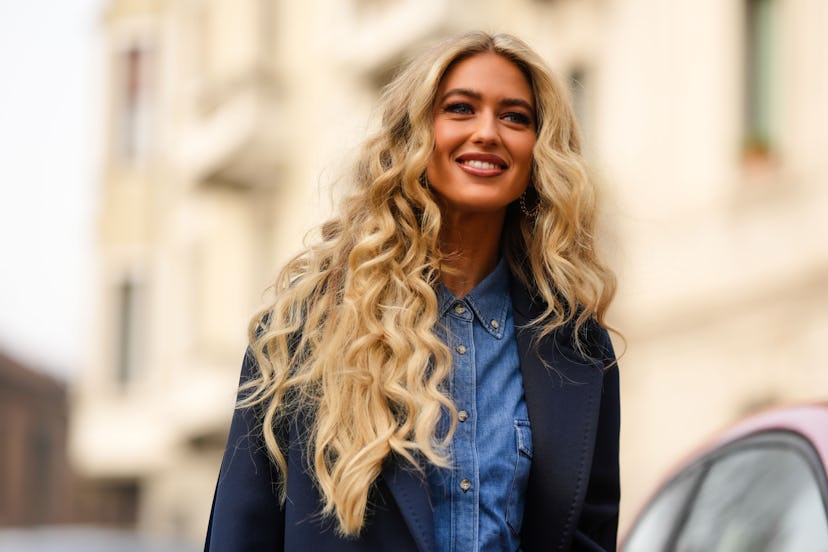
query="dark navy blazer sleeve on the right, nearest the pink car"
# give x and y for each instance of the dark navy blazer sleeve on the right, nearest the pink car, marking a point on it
(598, 525)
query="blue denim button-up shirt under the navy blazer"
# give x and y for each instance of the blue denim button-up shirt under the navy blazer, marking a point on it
(478, 502)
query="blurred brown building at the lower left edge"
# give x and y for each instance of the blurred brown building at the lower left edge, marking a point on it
(38, 483)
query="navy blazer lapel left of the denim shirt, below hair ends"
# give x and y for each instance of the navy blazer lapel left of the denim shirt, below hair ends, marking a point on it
(411, 493)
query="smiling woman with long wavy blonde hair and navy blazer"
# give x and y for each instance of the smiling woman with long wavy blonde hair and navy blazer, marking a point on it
(435, 373)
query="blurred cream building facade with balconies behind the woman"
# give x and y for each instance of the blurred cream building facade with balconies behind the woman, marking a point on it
(226, 121)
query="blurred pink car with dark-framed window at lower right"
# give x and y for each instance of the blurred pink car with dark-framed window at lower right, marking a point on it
(761, 486)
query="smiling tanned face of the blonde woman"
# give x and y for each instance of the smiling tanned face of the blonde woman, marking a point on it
(484, 132)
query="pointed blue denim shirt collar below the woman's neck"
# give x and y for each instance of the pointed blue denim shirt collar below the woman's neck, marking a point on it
(489, 300)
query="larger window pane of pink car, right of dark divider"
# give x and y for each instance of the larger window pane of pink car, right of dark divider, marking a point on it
(762, 498)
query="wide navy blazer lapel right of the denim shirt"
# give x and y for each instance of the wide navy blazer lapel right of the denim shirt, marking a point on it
(562, 392)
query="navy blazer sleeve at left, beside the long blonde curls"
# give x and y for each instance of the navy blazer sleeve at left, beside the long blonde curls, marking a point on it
(246, 514)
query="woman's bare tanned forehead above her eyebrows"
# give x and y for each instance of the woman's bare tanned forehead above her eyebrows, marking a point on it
(489, 74)
